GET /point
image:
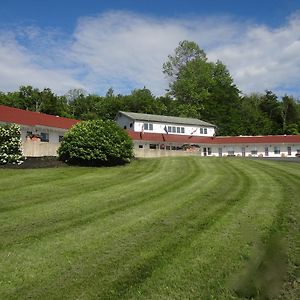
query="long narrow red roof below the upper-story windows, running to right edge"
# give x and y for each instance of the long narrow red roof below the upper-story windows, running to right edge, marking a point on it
(184, 139)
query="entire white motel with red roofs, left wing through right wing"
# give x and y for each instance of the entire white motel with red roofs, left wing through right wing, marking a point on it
(152, 135)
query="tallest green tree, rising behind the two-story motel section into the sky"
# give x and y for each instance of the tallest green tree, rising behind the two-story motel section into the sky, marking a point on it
(205, 85)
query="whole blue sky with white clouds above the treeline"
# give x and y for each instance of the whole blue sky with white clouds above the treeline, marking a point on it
(122, 44)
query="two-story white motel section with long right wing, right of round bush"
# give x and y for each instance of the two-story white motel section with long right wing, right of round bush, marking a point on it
(156, 136)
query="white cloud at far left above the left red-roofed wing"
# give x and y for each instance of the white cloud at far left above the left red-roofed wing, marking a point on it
(20, 66)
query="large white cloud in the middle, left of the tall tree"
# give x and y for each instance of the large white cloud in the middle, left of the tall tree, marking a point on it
(124, 49)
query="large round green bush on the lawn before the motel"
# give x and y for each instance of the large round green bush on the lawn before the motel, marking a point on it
(96, 143)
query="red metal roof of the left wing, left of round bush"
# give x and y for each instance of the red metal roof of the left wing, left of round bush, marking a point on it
(26, 117)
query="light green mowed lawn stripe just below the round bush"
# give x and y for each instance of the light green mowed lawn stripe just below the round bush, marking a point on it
(61, 185)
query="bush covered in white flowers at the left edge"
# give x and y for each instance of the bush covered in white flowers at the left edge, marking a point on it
(10, 144)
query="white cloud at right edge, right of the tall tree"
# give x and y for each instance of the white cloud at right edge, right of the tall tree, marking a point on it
(264, 58)
